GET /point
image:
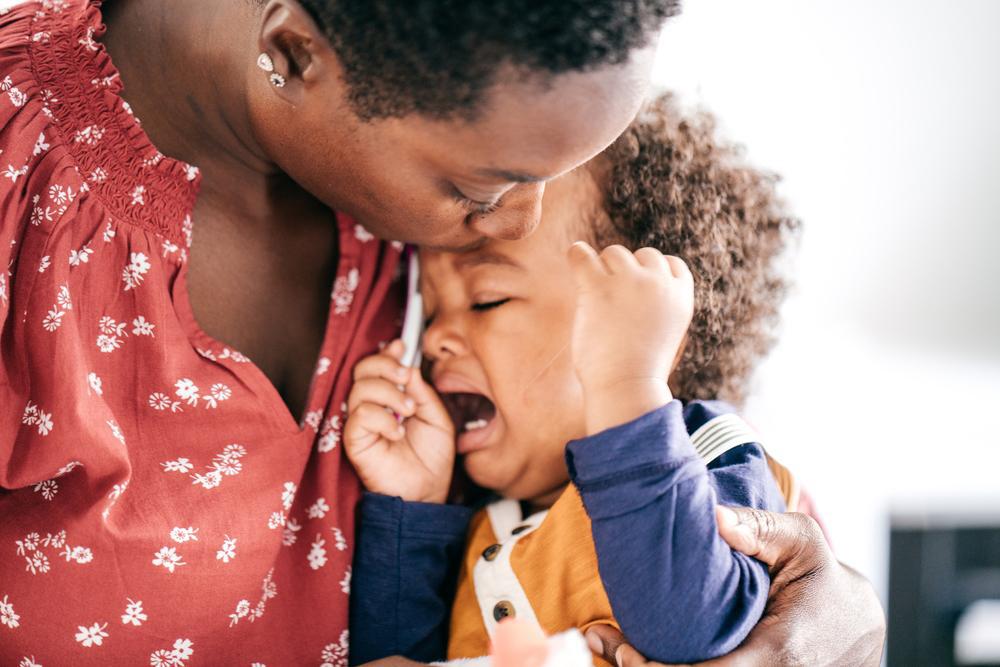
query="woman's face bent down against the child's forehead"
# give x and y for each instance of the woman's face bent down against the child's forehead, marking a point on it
(450, 183)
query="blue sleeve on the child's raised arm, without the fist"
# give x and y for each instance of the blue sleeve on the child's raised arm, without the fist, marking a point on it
(679, 592)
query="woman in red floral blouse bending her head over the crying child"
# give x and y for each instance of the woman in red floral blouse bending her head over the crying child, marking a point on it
(164, 497)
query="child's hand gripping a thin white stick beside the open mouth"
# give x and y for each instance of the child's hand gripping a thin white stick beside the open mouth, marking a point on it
(412, 459)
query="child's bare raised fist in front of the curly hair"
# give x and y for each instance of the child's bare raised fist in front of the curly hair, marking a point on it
(632, 314)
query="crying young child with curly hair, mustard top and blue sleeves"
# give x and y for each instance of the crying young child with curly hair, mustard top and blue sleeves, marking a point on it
(619, 354)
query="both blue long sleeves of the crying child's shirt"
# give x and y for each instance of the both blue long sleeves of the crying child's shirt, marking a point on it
(679, 592)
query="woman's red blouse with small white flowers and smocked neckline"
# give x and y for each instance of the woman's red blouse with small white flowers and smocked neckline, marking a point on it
(159, 505)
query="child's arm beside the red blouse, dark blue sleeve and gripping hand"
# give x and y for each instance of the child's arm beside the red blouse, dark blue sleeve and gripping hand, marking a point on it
(409, 543)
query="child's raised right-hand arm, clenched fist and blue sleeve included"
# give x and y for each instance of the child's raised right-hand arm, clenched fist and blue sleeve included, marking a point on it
(677, 589)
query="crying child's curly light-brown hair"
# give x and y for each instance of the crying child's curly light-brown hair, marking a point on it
(668, 183)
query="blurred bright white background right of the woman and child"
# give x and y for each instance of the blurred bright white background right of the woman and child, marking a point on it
(884, 120)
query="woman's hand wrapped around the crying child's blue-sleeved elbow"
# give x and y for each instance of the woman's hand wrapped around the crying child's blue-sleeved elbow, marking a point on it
(819, 611)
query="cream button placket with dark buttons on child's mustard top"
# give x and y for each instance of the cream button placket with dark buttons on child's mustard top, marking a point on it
(495, 582)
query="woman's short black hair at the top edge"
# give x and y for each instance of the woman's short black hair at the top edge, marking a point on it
(438, 57)
